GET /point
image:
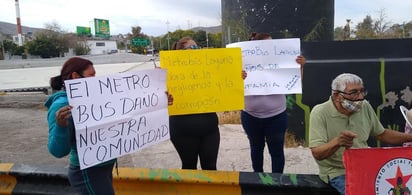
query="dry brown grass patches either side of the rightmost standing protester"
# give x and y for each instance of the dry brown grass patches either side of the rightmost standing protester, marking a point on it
(233, 117)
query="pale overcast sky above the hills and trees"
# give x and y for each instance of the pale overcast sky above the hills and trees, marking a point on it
(157, 16)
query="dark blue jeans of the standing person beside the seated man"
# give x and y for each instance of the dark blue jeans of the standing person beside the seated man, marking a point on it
(270, 130)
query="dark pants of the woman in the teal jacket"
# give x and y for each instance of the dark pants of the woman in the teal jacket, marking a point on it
(94, 180)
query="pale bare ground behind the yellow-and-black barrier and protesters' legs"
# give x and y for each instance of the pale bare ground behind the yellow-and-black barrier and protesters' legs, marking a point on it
(24, 135)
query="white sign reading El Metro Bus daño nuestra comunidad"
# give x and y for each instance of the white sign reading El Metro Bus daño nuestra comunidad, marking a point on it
(118, 114)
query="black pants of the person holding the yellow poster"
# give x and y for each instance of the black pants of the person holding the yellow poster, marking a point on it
(196, 136)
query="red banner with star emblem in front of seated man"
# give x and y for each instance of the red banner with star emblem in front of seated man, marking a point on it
(378, 171)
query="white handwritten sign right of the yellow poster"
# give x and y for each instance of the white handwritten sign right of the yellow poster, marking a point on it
(271, 66)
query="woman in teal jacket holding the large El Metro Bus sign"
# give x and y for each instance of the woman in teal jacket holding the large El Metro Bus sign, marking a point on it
(93, 180)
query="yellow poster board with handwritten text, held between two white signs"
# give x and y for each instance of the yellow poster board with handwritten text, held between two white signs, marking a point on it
(206, 80)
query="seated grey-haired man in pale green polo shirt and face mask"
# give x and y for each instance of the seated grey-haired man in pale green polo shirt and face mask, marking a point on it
(346, 120)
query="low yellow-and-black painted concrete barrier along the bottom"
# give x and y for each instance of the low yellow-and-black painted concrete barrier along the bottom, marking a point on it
(25, 179)
